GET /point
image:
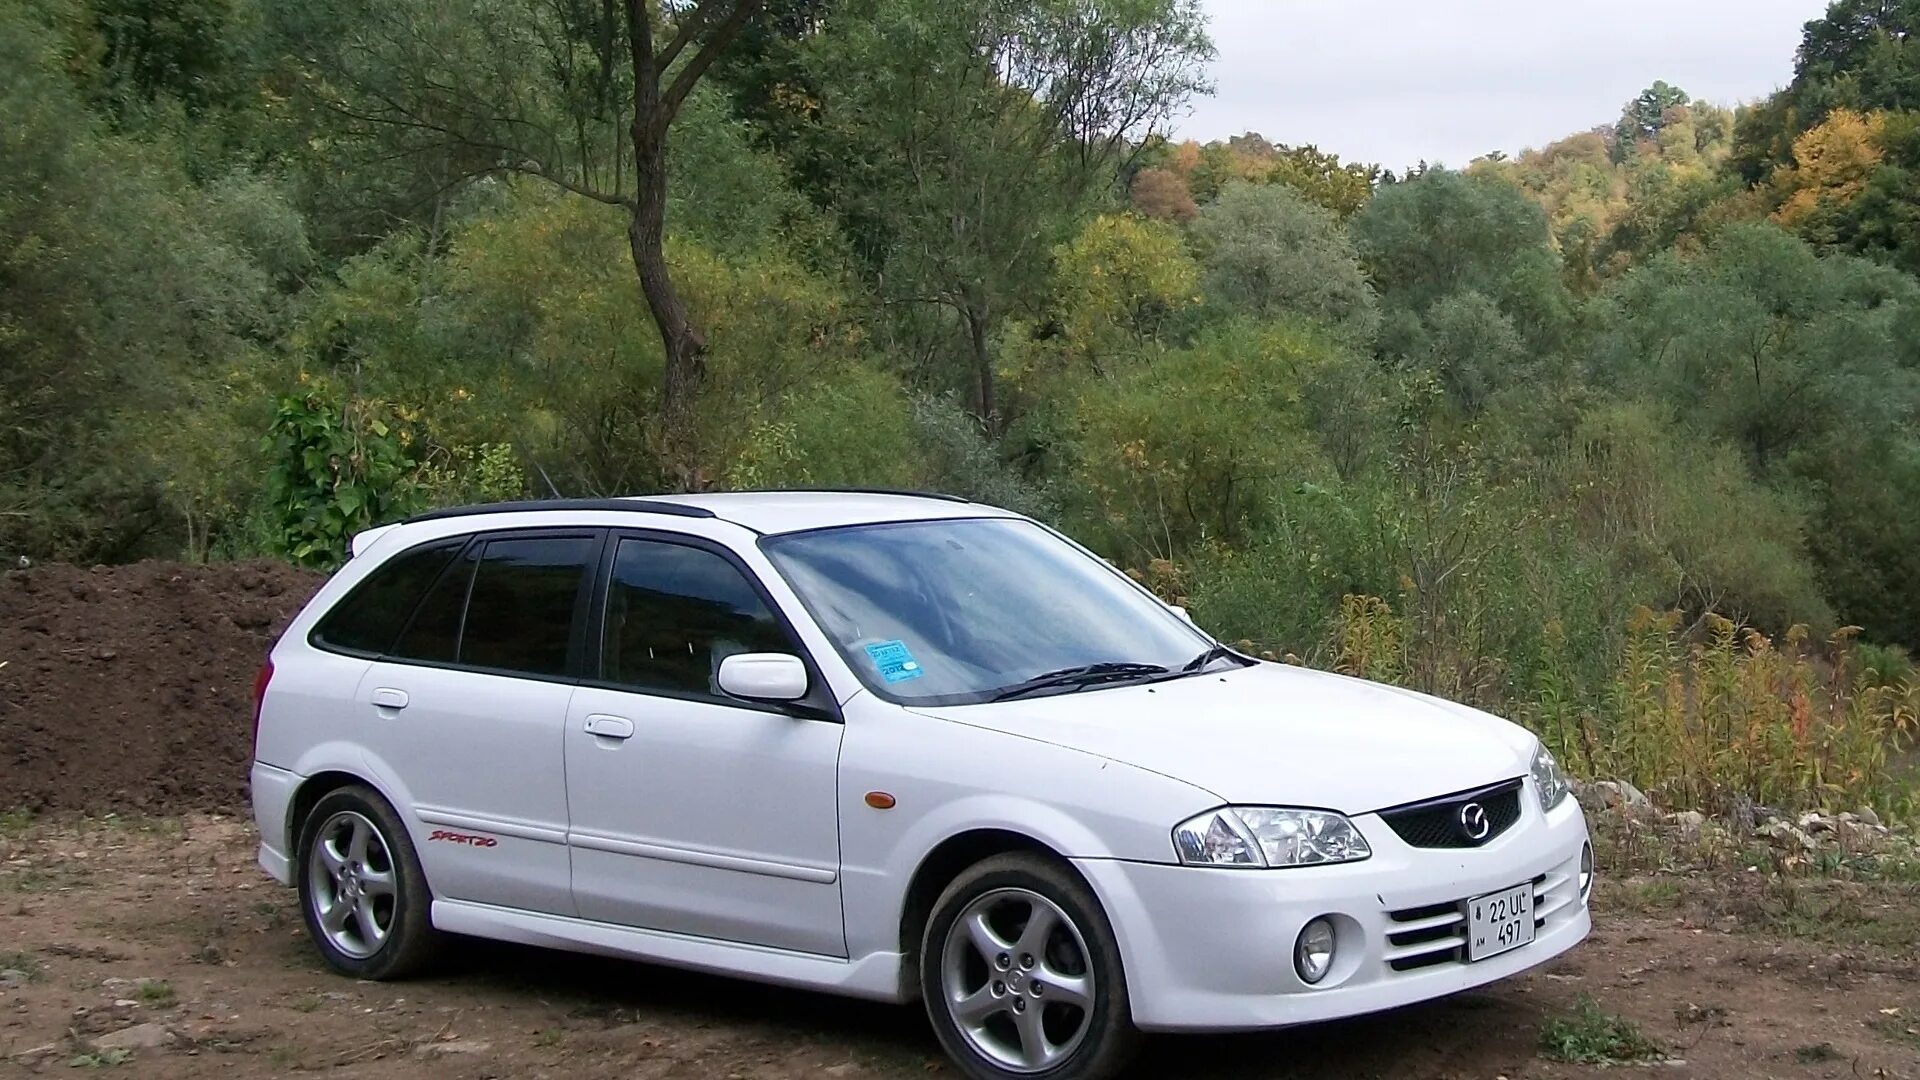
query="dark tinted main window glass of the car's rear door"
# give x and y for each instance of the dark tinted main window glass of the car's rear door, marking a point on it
(521, 606)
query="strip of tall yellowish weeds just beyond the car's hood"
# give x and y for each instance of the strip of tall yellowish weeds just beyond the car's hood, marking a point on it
(1702, 716)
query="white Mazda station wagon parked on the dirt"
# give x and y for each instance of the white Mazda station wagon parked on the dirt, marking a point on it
(888, 747)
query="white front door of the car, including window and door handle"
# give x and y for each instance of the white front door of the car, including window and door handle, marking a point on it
(692, 812)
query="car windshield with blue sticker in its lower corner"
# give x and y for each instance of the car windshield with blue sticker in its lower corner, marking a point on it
(978, 610)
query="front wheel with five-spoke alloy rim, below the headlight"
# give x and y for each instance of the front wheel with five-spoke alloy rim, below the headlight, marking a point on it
(1007, 1008)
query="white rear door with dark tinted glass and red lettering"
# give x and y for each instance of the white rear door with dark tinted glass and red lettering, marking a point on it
(468, 714)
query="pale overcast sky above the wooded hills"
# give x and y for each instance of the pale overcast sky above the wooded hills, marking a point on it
(1395, 82)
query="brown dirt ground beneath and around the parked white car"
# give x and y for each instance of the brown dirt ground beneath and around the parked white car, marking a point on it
(164, 935)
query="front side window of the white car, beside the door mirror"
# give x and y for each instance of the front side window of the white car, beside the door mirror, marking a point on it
(675, 614)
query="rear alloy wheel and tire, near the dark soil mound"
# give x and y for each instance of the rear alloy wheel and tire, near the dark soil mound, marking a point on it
(362, 891)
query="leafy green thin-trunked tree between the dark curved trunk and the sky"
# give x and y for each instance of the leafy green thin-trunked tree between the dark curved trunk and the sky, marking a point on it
(974, 134)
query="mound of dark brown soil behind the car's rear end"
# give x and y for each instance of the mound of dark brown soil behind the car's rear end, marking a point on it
(132, 689)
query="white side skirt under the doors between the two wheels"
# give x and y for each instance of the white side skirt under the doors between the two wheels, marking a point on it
(876, 977)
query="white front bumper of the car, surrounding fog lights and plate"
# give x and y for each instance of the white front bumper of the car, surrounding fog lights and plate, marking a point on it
(1214, 948)
